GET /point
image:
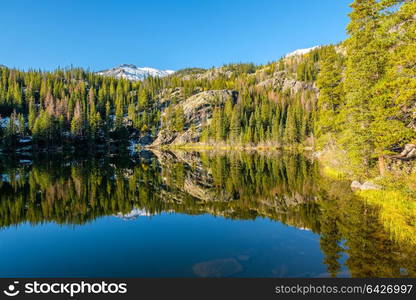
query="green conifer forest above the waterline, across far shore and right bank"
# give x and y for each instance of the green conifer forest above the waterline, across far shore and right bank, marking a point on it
(359, 95)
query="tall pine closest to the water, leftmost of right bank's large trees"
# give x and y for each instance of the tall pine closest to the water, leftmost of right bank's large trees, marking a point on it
(363, 69)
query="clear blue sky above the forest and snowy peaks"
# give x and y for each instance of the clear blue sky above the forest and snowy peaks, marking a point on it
(163, 34)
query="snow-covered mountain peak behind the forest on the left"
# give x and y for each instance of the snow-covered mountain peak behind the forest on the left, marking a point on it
(131, 72)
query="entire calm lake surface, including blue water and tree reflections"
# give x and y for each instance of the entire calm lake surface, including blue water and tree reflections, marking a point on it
(164, 214)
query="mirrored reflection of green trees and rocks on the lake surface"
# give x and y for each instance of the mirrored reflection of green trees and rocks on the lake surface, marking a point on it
(236, 186)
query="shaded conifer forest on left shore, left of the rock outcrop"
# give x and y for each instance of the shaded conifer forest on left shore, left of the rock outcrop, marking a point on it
(70, 105)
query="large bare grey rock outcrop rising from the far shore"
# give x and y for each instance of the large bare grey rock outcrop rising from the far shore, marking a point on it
(198, 111)
